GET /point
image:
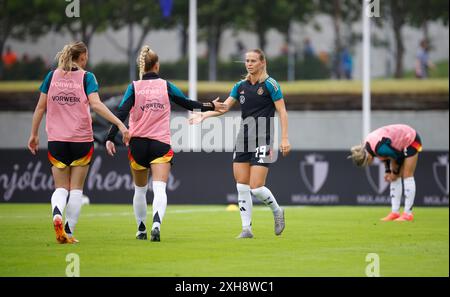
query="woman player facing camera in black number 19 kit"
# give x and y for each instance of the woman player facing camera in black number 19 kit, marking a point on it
(259, 96)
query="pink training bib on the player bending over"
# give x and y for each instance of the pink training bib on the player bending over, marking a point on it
(401, 136)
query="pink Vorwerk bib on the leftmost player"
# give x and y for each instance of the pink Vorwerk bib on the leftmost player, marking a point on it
(68, 113)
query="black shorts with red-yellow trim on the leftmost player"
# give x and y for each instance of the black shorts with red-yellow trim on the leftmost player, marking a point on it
(62, 154)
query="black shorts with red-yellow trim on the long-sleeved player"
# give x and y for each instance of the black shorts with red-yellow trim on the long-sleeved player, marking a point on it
(143, 151)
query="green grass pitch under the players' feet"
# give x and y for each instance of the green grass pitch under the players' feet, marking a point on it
(200, 241)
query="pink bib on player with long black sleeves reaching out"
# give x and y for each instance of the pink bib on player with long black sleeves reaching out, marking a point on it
(150, 115)
